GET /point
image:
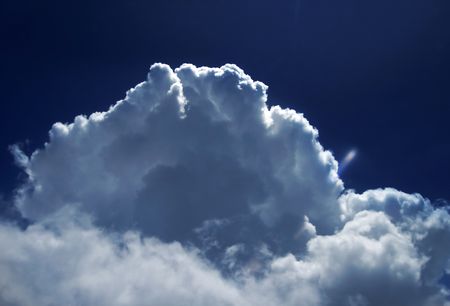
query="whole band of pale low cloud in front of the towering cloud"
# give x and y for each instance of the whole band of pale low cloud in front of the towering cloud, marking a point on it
(67, 261)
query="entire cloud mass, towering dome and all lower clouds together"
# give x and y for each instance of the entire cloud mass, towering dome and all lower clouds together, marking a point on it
(193, 191)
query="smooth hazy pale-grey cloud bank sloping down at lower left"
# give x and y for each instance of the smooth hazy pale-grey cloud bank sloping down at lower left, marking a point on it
(80, 265)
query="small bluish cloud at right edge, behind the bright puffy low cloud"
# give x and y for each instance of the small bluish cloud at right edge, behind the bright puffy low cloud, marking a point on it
(429, 227)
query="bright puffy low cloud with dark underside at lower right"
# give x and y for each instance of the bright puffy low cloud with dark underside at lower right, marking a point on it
(369, 261)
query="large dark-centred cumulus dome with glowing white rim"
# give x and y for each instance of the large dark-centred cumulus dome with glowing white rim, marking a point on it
(184, 147)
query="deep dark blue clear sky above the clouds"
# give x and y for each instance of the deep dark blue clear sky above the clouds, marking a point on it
(369, 75)
